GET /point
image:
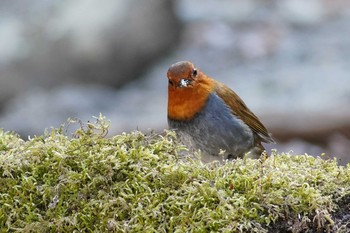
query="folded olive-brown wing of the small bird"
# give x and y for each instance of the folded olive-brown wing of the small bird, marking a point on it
(240, 109)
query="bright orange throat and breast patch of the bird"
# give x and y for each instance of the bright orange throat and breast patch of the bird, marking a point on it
(185, 103)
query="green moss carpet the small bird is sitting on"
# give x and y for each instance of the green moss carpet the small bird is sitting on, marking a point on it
(136, 182)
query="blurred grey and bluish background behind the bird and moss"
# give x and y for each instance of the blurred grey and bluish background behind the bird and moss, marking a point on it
(289, 60)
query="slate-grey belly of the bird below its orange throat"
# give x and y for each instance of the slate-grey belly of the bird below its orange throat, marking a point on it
(213, 129)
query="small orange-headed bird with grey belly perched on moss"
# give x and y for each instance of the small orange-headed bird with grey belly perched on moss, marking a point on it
(209, 116)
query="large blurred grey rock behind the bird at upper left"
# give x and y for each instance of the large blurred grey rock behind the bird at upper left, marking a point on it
(55, 43)
